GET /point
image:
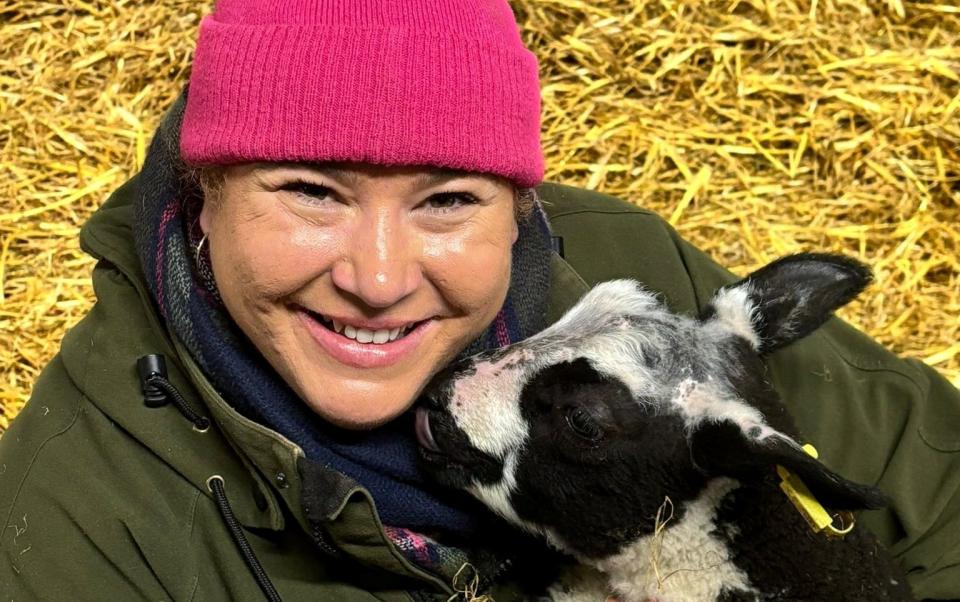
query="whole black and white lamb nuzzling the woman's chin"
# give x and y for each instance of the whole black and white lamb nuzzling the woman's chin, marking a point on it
(646, 445)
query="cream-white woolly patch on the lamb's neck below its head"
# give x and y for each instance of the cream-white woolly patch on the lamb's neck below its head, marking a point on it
(692, 562)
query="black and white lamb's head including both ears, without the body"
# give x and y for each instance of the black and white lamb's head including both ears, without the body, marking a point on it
(580, 432)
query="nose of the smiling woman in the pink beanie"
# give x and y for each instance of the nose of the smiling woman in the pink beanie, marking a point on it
(380, 266)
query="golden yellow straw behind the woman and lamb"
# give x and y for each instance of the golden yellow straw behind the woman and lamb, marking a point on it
(756, 127)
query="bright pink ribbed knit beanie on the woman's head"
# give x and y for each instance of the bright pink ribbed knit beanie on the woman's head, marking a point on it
(444, 83)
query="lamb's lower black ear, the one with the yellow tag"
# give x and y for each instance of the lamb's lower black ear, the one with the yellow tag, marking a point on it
(723, 449)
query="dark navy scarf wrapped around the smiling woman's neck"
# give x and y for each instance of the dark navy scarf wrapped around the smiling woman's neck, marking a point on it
(384, 460)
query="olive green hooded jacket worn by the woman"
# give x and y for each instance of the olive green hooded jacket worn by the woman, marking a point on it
(105, 498)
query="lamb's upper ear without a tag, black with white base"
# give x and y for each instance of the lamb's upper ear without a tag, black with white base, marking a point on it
(788, 299)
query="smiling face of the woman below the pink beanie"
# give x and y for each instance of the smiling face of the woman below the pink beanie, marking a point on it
(358, 283)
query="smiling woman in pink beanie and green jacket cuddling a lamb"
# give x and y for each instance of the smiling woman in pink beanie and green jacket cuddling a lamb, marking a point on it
(344, 201)
